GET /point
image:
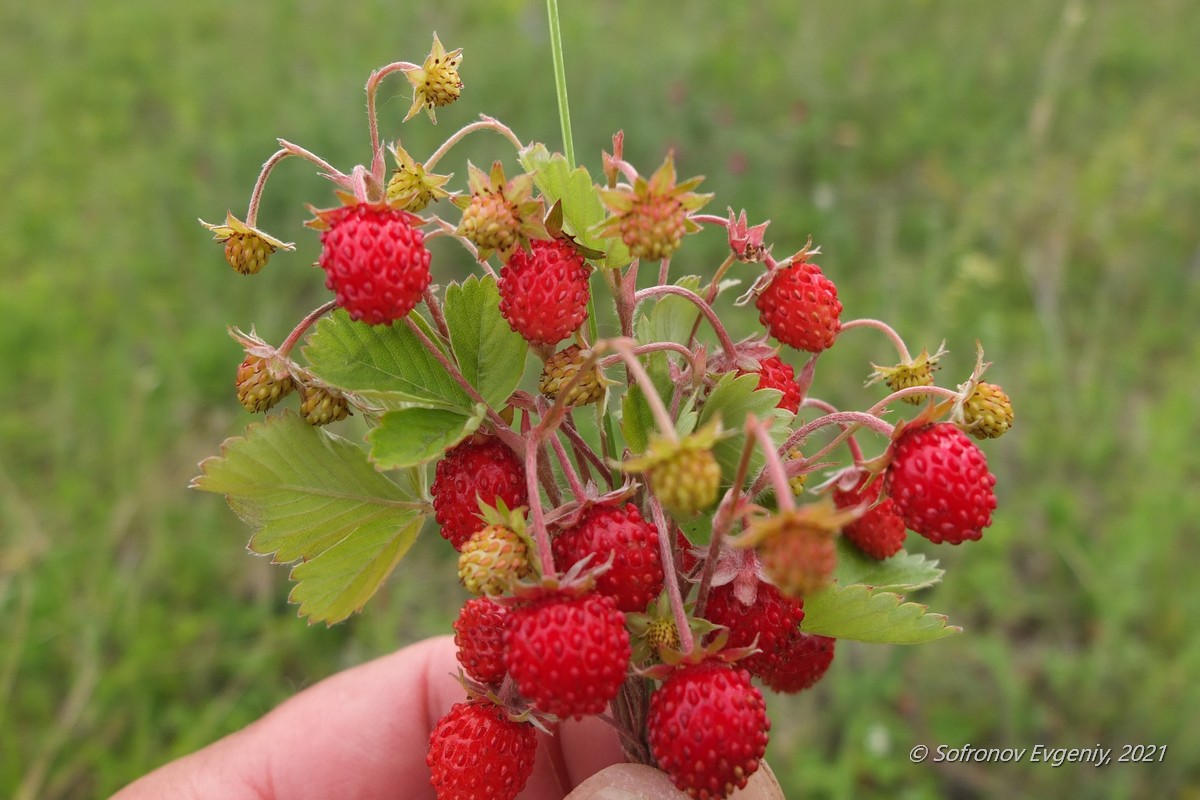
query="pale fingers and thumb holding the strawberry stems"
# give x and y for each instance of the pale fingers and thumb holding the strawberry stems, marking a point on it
(364, 733)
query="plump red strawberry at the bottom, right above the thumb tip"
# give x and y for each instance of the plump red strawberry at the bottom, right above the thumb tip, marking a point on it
(707, 729)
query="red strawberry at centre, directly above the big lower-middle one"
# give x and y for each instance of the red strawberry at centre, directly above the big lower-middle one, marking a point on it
(637, 575)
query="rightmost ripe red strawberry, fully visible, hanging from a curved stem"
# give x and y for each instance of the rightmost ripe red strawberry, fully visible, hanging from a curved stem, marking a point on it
(941, 485)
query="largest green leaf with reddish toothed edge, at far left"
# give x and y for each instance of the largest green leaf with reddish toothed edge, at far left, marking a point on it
(308, 492)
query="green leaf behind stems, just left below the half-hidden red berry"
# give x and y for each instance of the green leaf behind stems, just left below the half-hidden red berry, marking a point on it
(733, 400)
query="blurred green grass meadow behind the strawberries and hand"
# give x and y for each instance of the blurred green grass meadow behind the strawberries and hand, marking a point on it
(1025, 173)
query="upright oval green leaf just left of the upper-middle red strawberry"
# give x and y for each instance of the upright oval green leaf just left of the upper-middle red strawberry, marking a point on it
(491, 356)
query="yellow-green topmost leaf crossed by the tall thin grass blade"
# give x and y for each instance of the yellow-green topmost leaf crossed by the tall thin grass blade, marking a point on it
(583, 208)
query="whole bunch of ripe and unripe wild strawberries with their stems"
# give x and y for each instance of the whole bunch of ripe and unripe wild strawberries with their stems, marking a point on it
(637, 582)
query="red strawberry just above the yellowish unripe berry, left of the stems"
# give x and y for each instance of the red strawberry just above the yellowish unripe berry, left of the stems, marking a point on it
(475, 470)
